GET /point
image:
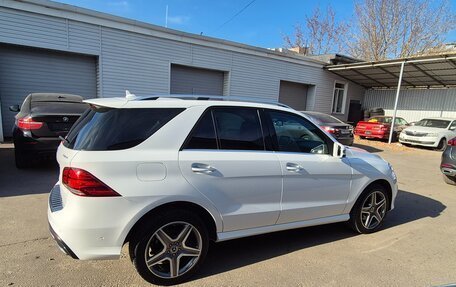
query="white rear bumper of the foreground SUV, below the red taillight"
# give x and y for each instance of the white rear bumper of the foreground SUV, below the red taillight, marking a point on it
(90, 228)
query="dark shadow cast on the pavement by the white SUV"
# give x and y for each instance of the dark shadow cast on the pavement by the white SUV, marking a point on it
(229, 255)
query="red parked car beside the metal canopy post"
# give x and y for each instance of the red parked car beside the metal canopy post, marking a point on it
(379, 127)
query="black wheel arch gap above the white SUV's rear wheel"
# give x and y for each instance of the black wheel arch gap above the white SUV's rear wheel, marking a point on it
(202, 212)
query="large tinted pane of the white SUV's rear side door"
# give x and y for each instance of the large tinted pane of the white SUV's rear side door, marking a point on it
(238, 129)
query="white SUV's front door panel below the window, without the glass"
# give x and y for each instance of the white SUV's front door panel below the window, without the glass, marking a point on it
(314, 186)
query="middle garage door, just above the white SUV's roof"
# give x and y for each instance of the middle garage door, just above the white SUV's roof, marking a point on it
(189, 80)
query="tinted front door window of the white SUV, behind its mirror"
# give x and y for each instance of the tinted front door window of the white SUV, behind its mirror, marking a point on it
(296, 134)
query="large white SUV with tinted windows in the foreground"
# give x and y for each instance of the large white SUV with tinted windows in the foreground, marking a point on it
(167, 175)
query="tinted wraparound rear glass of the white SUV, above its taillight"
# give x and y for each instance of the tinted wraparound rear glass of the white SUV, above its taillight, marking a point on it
(115, 129)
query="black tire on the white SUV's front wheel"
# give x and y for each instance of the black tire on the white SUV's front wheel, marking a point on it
(361, 208)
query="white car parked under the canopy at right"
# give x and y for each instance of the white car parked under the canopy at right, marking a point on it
(428, 136)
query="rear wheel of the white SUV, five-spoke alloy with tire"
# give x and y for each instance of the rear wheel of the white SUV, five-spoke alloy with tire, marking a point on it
(172, 250)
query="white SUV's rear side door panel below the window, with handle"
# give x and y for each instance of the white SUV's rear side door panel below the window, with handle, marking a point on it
(245, 186)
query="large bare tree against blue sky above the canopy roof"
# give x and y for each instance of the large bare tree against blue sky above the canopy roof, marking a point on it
(385, 29)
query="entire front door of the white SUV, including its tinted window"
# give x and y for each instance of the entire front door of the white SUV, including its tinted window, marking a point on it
(315, 184)
